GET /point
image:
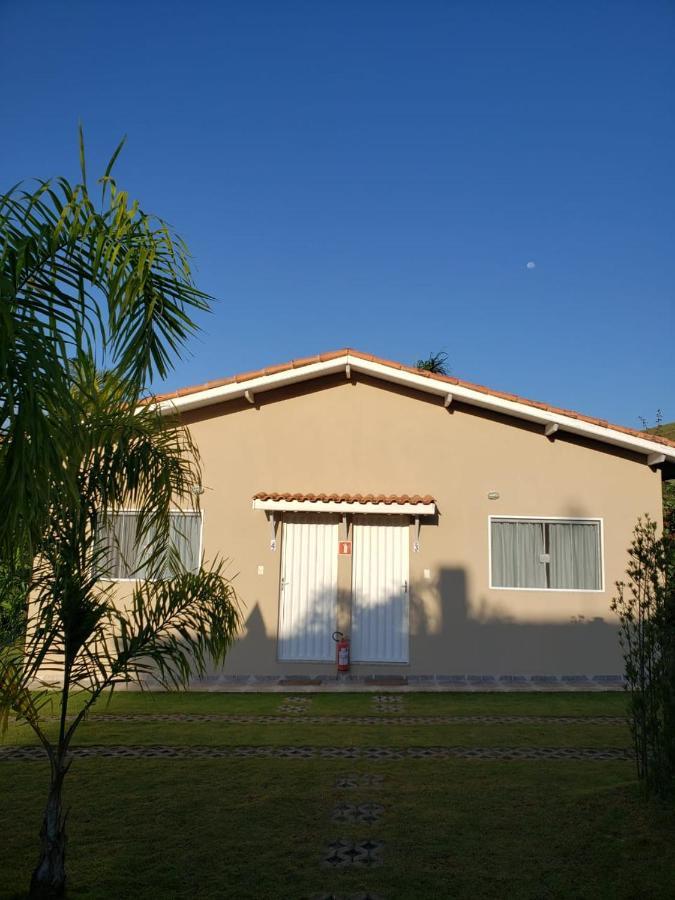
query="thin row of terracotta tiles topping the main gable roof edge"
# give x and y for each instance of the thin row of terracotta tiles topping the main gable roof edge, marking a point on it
(446, 379)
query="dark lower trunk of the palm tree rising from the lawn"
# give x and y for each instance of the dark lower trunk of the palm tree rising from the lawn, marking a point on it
(49, 877)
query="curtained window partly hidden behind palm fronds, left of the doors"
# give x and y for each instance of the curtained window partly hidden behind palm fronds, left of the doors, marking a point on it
(126, 553)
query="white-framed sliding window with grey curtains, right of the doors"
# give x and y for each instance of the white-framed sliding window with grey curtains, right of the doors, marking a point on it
(546, 554)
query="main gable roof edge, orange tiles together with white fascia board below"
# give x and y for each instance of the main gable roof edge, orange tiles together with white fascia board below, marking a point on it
(656, 448)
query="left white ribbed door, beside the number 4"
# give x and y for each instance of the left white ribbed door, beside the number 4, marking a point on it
(308, 591)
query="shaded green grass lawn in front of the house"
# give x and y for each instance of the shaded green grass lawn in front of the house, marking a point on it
(253, 828)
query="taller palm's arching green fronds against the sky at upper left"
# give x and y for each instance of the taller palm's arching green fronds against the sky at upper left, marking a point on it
(76, 272)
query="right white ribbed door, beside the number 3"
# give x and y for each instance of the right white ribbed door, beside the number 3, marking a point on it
(380, 574)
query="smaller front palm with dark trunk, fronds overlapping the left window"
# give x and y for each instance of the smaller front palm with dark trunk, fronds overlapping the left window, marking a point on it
(79, 633)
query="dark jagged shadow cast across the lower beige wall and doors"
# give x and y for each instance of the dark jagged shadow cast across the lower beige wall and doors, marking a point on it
(451, 635)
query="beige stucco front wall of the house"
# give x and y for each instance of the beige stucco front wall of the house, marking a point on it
(364, 436)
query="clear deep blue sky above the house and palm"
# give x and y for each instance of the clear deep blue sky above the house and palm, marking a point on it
(379, 174)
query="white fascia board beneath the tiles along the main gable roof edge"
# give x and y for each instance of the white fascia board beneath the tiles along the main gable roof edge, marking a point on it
(237, 390)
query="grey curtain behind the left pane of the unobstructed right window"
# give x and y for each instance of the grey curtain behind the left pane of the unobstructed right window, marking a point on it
(517, 548)
